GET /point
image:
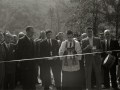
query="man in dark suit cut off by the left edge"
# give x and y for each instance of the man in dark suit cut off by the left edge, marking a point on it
(2, 58)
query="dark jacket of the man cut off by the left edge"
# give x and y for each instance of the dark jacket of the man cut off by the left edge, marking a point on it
(2, 58)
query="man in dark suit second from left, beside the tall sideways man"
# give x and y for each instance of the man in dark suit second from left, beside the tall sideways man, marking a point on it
(10, 67)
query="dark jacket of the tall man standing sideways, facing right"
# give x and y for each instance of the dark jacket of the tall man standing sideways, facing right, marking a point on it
(26, 50)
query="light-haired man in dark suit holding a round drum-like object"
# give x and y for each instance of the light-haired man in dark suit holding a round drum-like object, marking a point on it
(109, 45)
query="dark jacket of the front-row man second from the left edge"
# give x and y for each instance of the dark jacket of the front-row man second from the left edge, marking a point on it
(10, 67)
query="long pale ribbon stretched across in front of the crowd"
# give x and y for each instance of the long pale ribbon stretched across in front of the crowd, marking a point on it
(54, 57)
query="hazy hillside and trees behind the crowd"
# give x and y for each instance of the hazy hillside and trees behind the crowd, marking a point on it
(60, 15)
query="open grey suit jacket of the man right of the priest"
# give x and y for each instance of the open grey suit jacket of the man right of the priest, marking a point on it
(90, 57)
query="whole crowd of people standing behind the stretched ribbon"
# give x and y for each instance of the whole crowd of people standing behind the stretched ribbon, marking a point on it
(87, 63)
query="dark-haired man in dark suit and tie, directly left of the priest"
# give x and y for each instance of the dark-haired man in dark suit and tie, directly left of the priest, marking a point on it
(48, 48)
